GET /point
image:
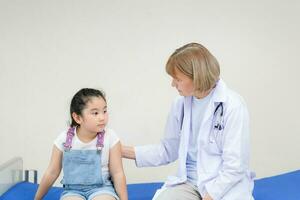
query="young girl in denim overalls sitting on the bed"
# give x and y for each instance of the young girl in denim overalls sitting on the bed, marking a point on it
(88, 152)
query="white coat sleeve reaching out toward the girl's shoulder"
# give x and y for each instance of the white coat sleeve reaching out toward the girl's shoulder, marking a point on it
(167, 150)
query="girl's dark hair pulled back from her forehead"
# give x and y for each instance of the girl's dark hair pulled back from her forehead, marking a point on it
(80, 100)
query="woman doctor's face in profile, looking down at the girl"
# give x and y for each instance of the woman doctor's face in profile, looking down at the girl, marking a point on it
(183, 83)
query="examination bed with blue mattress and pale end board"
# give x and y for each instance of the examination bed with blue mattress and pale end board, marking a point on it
(12, 187)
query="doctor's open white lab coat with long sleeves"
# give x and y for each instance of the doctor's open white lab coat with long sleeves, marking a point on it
(223, 157)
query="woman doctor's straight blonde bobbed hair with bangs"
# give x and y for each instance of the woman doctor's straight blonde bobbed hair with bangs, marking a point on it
(196, 62)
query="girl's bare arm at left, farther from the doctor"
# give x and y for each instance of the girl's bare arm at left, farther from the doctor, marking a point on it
(51, 173)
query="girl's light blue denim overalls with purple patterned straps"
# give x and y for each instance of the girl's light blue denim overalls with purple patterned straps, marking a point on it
(82, 170)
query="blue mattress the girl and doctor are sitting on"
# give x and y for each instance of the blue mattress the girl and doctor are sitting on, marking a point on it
(284, 186)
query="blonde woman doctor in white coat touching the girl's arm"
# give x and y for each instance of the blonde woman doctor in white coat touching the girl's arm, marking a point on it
(207, 130)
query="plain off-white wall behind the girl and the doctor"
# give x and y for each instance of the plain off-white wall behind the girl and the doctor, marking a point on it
(50, 49)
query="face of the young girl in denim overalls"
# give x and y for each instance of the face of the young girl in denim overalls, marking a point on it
(94, 116)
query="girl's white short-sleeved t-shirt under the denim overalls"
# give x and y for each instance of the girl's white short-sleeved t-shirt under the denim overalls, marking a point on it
(110, 139)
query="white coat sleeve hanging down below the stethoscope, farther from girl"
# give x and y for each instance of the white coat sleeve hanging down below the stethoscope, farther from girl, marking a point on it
(235, 153)
